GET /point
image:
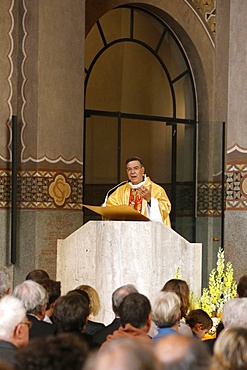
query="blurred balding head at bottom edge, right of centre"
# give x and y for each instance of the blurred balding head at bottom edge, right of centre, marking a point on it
(178, 352)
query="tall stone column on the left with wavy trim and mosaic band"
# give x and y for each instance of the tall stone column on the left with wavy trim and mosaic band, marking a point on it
(43, 47)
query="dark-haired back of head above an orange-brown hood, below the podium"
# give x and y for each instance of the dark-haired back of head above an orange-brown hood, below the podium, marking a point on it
(135, 310)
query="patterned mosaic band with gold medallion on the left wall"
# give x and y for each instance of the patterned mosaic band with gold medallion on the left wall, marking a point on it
(43, 190)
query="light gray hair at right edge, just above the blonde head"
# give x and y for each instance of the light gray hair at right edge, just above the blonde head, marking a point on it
(235, 313)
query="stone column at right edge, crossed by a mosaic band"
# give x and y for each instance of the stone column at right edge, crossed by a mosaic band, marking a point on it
(231, 89)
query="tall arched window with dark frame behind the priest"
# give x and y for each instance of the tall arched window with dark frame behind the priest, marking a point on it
(139, 100)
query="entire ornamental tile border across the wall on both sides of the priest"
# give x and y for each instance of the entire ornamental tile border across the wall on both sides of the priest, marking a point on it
(54, 190)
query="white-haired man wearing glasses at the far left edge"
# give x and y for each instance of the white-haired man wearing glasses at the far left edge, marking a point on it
(14, 328)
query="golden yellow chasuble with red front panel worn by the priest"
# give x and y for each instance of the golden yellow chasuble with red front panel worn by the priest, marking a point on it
(125, 194)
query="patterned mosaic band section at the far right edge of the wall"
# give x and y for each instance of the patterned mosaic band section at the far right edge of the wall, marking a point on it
(236, 186)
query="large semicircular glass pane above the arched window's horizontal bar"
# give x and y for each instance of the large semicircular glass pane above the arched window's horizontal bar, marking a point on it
(119, 84)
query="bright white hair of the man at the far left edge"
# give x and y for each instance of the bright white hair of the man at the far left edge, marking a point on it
(12, 313)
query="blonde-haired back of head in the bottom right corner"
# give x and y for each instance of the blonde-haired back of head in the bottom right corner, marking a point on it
(230, 349)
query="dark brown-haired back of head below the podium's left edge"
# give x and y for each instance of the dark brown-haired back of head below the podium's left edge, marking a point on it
(71, 313)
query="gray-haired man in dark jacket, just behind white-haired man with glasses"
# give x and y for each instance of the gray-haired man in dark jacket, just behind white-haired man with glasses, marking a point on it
(35, 298)
